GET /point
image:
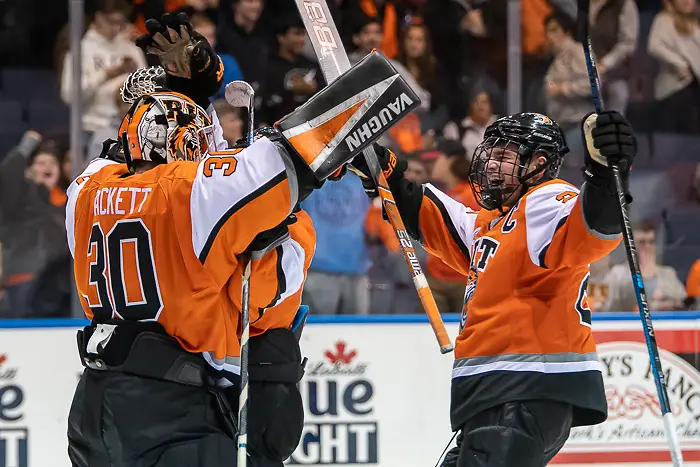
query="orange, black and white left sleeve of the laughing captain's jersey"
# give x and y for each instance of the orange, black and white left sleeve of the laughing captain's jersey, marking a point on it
(446, 229)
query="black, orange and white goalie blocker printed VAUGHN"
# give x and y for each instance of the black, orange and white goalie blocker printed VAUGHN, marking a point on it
(336, 124)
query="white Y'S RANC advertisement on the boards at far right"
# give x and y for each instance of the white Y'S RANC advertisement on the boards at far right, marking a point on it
(634, 412)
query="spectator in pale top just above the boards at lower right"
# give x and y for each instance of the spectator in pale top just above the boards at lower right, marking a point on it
(664, 290)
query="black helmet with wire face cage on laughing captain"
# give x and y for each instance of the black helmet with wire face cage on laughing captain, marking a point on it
(496, 181)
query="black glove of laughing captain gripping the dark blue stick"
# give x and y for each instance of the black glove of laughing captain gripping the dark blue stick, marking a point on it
(609, 140)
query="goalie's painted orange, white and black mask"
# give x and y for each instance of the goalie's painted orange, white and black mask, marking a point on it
(164, 127)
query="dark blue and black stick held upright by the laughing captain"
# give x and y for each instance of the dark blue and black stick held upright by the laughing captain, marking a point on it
(632, 258)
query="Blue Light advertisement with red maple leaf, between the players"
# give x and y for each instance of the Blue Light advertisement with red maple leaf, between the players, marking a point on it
(340, 425)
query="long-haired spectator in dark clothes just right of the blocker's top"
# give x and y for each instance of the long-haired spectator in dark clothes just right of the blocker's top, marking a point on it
(416, 55)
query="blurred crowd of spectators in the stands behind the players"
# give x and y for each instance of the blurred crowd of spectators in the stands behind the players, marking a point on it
(452, 53)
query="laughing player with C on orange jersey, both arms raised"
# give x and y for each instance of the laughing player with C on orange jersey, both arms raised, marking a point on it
(525, 368)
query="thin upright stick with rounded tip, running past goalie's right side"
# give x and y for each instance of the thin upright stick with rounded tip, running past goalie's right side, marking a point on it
(241, 94)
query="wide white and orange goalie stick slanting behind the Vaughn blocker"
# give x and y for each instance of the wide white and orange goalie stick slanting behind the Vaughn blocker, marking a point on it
(333, 61)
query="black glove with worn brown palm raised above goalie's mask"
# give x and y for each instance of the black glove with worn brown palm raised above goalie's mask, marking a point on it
(192, 66)
